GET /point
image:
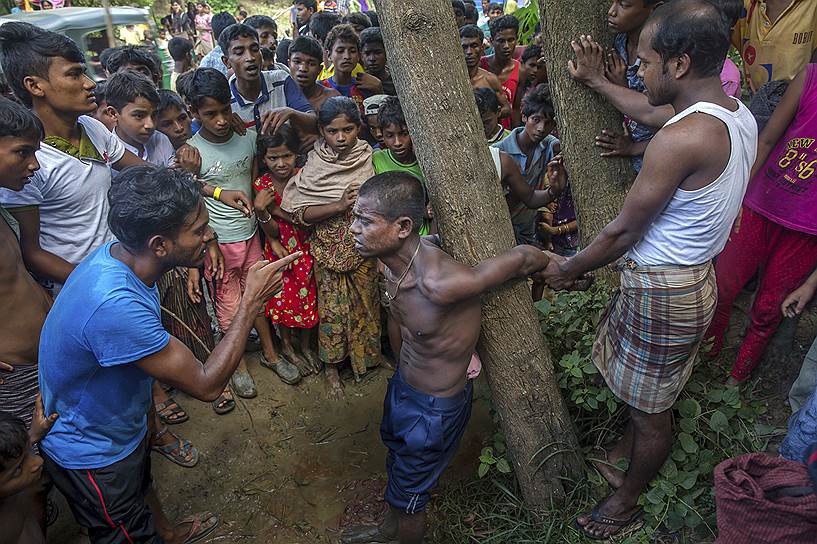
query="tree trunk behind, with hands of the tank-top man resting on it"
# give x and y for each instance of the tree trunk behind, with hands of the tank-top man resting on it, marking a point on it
(598, 184)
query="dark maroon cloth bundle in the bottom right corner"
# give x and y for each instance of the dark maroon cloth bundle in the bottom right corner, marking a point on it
(764, 499)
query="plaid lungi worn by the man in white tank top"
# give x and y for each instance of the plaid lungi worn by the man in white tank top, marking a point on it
(650, 333)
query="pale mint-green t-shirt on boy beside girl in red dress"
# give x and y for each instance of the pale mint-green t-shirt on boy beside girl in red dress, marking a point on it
(229, 166)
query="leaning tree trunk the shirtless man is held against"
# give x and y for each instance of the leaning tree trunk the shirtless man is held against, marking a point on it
(429, 71)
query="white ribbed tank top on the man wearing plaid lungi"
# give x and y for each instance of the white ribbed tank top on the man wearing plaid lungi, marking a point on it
(694, 226)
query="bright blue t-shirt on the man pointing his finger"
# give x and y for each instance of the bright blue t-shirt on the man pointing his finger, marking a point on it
(104, 320)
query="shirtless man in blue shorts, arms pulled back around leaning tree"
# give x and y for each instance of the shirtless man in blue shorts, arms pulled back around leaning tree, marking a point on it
(436, 302)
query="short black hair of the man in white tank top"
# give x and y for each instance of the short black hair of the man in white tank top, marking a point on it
(695, 28)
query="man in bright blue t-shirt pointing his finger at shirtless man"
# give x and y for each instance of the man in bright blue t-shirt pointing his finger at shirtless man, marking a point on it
(103, 344)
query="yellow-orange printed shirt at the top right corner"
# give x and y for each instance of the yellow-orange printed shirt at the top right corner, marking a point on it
(775, 50)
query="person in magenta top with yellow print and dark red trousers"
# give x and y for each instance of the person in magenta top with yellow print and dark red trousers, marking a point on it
(776, 234)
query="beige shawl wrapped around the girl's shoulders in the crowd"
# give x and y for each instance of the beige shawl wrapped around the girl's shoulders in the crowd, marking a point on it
(327, 176)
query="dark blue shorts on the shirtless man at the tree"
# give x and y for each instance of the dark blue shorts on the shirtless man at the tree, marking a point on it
(422, 433)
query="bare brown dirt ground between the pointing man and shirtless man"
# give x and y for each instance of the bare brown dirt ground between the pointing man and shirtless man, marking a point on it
(289, 466)
